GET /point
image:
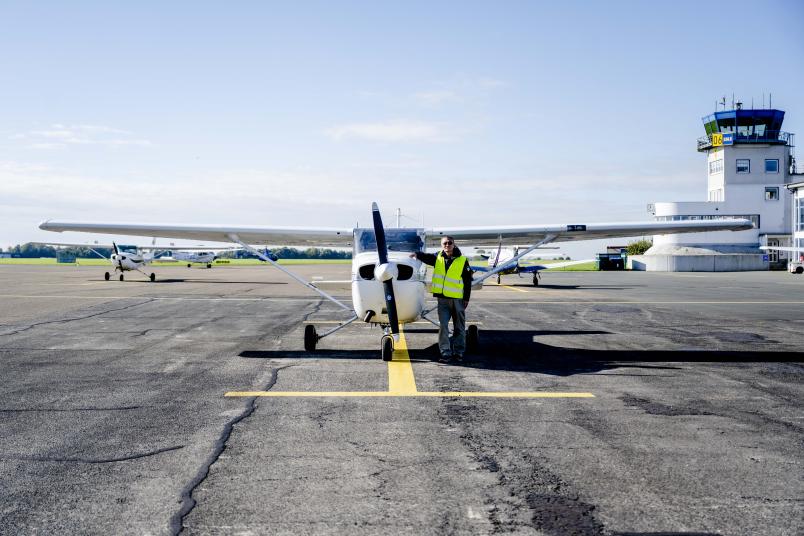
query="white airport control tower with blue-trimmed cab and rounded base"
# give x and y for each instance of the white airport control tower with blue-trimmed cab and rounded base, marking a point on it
(749, 164)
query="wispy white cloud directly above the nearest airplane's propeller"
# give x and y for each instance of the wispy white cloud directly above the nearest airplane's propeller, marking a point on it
(392, 131)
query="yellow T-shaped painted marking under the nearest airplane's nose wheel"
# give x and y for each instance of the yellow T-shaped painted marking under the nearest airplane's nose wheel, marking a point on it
(402, 383)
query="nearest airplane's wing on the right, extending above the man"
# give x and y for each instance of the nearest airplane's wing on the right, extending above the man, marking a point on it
(518, 234)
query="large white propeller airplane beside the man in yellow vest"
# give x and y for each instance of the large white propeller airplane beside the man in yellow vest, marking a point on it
(388, 286)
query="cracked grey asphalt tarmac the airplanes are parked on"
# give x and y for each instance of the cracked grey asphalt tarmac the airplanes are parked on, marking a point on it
(598, 403)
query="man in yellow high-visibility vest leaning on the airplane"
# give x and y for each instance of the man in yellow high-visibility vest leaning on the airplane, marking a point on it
(452, 287)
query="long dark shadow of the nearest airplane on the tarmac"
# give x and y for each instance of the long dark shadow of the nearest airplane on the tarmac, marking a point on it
(518, 351)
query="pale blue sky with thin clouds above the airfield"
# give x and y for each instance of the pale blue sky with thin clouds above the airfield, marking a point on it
(465, 113)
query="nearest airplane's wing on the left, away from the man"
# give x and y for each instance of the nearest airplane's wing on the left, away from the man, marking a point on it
(296, 236)
